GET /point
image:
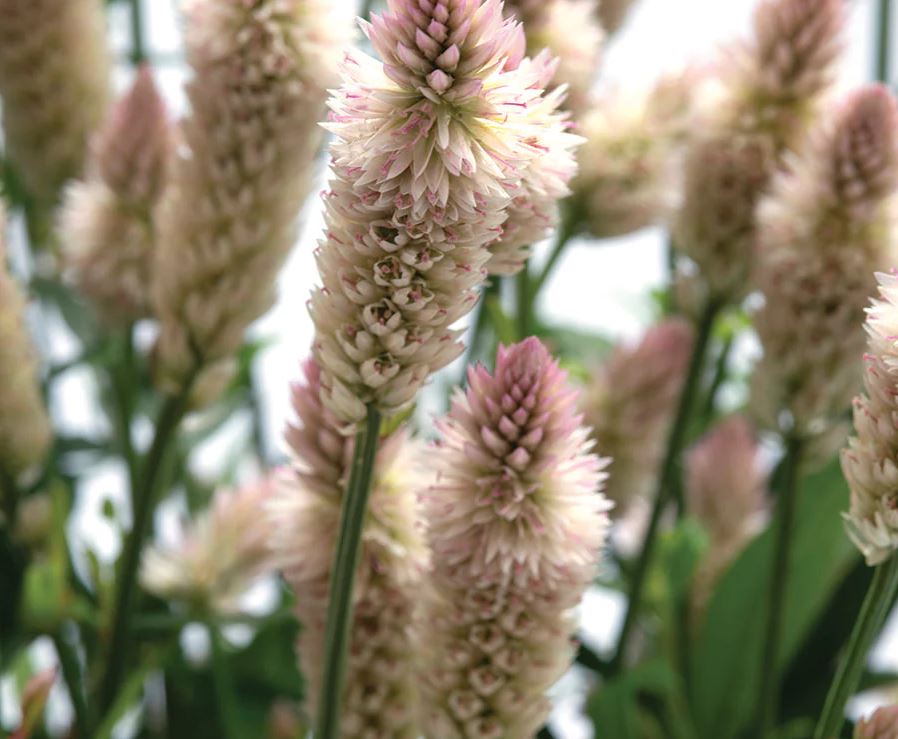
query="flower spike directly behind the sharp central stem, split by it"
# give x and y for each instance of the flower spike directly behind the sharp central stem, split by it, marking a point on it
(380, 693)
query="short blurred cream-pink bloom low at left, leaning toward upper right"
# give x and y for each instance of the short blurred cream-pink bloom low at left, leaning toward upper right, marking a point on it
(218, 555)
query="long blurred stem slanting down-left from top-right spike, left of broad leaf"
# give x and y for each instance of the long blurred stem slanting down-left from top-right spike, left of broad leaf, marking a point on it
(666, 479)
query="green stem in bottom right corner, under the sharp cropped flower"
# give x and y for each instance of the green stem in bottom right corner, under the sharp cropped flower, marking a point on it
(873, 614)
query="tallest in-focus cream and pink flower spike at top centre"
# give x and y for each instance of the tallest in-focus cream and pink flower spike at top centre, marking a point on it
(432, 146)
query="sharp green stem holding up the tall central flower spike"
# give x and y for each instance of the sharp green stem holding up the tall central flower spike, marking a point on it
(339, 612)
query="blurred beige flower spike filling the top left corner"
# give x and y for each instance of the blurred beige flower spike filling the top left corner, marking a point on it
(54, 80)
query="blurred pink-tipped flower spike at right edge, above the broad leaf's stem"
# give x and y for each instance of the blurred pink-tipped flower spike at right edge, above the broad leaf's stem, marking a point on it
(826, 227)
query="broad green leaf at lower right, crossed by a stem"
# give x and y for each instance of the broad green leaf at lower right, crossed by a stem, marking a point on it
(727, 653)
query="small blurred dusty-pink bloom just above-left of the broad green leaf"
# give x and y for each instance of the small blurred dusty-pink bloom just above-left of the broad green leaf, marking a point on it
(725, 491)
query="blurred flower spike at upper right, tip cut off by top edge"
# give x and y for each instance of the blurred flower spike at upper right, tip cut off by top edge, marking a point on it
(770, 89)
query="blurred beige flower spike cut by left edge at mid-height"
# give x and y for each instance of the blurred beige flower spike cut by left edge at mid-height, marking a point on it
(24, 426)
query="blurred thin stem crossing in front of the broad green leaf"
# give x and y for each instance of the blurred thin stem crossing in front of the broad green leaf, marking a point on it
(783, 524)
